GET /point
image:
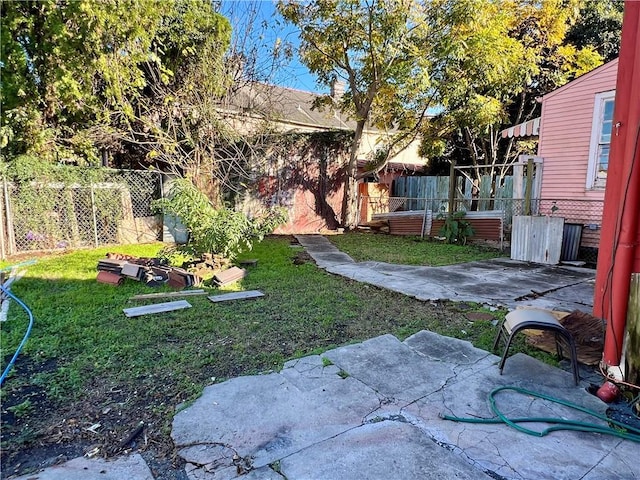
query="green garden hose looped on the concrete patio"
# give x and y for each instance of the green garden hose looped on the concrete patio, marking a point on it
(619, 429)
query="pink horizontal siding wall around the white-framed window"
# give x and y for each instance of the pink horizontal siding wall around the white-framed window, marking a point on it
(565, 134)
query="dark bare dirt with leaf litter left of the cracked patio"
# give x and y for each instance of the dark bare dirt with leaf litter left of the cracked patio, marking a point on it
(44, 433)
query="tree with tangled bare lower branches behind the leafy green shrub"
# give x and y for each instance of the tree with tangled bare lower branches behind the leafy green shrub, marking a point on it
(174, 122)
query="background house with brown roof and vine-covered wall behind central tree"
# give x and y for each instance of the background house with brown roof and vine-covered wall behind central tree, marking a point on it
(309, 180)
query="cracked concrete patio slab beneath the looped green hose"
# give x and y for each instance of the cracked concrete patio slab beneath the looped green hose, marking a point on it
(503, 450)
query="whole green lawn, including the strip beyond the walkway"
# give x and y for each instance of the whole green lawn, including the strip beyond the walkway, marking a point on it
(86, 363)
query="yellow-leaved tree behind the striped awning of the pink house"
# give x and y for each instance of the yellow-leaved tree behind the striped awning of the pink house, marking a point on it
(531, 58)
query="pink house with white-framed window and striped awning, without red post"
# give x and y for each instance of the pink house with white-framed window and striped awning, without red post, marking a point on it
(574, 132)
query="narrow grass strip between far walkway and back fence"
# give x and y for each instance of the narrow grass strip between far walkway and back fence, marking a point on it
(408, 250)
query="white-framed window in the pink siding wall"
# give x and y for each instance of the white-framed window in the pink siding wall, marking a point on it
(601, 130)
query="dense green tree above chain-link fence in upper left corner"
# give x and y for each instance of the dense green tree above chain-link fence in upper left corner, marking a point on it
(63, 64)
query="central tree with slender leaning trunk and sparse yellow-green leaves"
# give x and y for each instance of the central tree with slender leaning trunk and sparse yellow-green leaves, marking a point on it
(375, 47)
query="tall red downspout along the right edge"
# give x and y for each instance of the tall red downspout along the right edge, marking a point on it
(617, 257)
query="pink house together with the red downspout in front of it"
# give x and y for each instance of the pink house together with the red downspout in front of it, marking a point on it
(588, 141)
